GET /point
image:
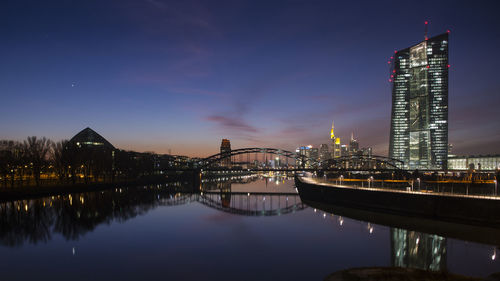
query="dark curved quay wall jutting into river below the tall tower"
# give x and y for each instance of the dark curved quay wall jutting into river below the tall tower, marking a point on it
(474, 210)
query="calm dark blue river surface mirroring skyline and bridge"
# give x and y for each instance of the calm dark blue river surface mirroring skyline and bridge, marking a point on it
(251, 229)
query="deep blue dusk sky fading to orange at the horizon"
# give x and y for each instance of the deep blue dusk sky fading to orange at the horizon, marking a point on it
(153, 75)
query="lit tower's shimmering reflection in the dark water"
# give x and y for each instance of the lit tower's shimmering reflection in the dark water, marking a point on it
(417, 250)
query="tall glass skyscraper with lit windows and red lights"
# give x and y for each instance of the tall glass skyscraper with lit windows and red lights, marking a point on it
(419, 118)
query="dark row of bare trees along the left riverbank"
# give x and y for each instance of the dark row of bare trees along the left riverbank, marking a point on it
(37, 161)
